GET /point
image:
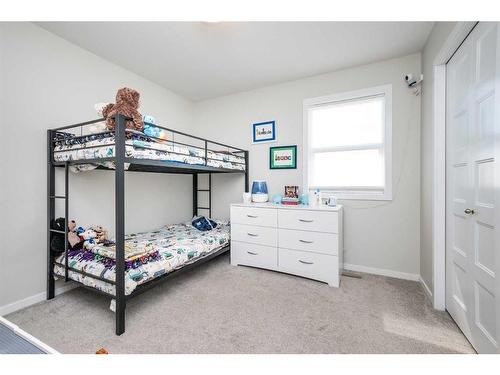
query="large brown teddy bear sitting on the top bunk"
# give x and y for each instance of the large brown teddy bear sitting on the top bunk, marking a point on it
(127, 104)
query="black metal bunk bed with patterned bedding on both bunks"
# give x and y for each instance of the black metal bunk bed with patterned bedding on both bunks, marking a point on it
(121, 150)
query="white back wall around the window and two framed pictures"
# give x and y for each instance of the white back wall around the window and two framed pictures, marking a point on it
(377, 234)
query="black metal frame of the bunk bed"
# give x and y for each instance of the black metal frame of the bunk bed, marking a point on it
(139, 165)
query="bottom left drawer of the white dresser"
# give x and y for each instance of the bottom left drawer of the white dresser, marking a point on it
(254, 255)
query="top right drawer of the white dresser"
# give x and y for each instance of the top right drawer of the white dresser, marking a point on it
(308, 220)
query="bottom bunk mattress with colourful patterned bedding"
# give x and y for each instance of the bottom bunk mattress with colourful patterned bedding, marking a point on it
(148, 255)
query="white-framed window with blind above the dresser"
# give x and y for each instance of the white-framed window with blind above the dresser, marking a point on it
(347, 144)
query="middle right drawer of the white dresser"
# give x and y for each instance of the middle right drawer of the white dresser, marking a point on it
(325, 243)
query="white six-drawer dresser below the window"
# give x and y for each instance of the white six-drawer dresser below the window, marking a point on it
(300, 240)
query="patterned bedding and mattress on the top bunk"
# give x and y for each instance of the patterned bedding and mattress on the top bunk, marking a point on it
(140, 146)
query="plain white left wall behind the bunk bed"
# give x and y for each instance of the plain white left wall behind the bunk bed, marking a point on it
(47, 82)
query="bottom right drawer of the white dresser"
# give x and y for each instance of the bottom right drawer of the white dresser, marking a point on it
(314, 266)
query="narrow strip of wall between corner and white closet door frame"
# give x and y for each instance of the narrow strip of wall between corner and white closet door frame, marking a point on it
(438, 36)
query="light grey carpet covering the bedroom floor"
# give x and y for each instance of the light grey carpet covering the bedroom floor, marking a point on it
(218, 308)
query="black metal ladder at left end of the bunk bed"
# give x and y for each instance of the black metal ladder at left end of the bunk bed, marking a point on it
(51, 198)
